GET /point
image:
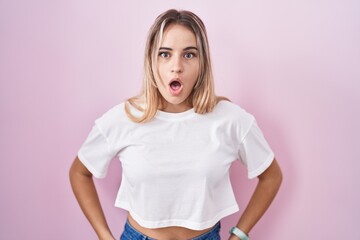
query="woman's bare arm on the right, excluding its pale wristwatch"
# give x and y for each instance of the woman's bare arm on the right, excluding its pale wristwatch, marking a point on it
(266, 189)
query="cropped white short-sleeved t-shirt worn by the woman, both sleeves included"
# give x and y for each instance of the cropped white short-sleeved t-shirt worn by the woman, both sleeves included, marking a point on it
(175, 168)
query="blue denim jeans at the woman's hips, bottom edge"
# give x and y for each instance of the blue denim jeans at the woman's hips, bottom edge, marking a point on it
(130, 233)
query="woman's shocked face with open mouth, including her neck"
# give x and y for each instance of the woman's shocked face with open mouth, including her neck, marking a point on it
(178, 67)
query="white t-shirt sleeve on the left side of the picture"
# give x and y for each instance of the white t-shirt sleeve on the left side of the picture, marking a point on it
(96, 152)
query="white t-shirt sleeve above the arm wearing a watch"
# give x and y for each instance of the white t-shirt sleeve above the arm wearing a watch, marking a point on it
(255, 151)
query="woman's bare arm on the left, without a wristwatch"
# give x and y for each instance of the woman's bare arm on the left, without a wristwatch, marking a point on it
(86, 195)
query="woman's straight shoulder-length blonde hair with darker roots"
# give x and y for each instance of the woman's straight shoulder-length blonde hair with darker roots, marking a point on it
(202, 98)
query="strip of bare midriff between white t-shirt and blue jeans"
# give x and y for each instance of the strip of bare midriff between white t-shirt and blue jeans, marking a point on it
(167, 233)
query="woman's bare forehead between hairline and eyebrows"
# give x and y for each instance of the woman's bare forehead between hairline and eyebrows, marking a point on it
(176, 35)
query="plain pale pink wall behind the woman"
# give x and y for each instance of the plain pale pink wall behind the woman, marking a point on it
(294, 64)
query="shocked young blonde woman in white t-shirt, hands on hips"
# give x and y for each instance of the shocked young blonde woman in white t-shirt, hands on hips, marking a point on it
(176, 142)
